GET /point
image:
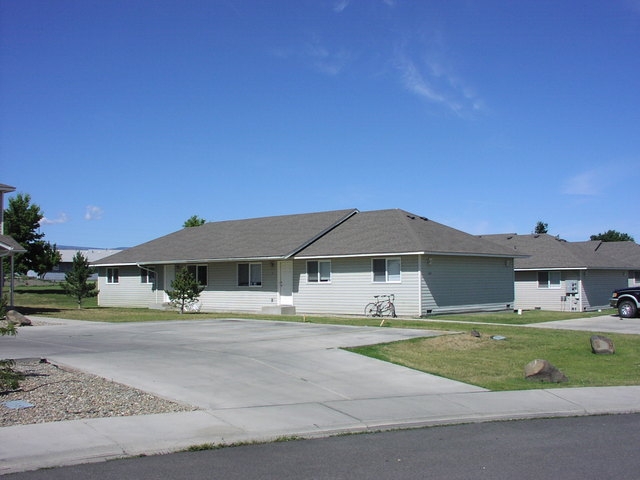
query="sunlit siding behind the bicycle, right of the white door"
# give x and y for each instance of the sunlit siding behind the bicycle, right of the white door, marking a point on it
(352, 287)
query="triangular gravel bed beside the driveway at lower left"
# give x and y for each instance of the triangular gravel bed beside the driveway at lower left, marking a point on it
(58, 394)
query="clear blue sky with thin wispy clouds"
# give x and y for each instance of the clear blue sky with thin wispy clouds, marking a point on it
(123, 118)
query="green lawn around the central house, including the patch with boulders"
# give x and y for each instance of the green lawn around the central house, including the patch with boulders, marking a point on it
(492, 364)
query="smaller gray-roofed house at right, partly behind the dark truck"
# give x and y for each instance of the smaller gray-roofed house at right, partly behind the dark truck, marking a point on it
(569, 276)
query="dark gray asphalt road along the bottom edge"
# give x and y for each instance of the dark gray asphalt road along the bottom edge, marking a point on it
(566, 448)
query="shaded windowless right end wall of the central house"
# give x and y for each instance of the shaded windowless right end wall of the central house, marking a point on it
(456, 284)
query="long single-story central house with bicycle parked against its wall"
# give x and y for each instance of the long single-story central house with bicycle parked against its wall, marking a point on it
(327, 262)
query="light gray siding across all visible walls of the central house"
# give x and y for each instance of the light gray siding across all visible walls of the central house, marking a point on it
(427, 285)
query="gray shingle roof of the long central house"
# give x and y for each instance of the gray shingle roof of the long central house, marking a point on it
(334, 233)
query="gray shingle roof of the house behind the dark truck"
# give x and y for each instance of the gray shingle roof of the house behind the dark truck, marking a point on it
(548, 252)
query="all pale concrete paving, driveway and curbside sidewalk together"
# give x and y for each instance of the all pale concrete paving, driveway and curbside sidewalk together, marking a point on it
(257, 381)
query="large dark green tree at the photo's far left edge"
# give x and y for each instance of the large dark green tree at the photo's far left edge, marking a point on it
(22, 222)
